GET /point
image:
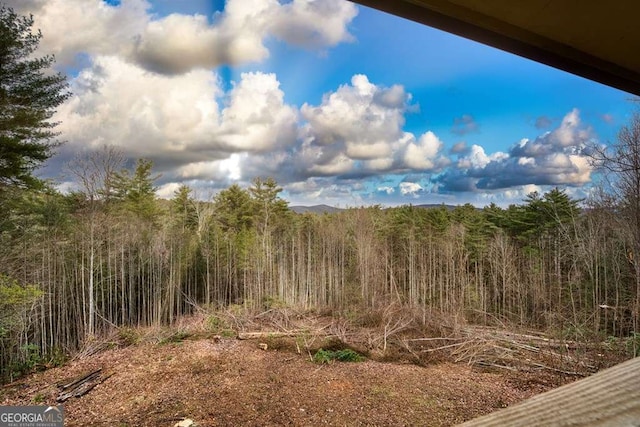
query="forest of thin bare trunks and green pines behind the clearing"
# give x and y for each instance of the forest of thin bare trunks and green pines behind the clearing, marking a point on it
(75, 266)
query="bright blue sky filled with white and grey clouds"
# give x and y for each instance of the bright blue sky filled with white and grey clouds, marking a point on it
(342, 104)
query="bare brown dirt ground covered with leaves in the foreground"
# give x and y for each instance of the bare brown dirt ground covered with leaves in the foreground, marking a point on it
(228, 382)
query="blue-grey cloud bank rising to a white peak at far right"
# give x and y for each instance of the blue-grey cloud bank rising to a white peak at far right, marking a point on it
(555, 158)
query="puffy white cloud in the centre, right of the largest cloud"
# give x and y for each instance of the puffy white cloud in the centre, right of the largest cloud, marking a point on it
(357, 125)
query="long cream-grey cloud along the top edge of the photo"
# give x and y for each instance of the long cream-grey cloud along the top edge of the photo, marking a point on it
(177, 44)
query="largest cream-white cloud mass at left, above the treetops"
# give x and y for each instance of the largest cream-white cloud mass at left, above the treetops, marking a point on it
(176, 121)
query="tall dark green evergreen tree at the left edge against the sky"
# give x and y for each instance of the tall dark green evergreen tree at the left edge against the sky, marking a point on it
(29, 94)
